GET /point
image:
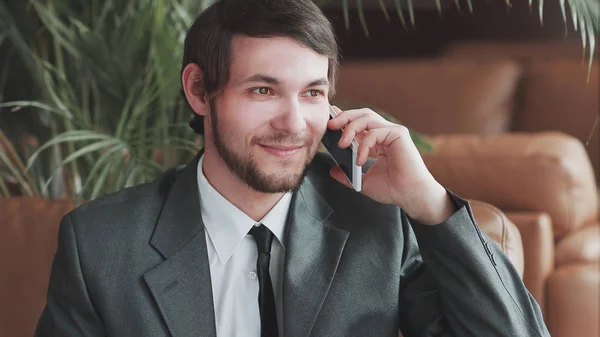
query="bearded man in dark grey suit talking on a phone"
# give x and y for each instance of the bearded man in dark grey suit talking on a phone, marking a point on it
(261, 236)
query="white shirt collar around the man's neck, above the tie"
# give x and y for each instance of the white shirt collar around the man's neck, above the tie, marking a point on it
(227, 225)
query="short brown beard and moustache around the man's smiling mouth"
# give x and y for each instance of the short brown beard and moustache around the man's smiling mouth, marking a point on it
(245, 167)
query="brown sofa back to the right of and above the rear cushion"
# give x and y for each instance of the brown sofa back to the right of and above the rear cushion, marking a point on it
(556, 94)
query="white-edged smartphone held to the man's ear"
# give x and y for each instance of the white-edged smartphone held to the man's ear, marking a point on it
(345, 158)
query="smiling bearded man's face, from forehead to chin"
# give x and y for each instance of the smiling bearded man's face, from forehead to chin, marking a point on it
(269, 120)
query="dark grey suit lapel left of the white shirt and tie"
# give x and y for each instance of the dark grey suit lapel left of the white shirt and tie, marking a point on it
(181, 285)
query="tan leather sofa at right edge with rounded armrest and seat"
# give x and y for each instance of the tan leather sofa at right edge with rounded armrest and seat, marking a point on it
(545, 185)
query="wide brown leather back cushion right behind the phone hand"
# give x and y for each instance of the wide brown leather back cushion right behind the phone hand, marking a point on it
(437, 96)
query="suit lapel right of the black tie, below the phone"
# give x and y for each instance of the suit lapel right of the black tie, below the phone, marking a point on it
(313, 250)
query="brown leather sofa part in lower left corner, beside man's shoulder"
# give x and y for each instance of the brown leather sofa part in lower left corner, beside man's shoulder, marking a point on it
(29, 228)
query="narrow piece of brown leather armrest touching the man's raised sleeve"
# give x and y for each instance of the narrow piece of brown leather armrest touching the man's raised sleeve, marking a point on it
(538, 251)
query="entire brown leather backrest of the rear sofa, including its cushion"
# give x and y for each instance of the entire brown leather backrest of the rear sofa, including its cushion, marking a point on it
(485, 88)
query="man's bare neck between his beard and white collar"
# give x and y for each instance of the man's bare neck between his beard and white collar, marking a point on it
(253, 203)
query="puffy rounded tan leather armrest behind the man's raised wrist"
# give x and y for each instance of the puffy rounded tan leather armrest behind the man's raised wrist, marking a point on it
(543, 172)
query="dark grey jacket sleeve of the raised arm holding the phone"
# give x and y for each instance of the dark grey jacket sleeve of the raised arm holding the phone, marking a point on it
(456, 281)
